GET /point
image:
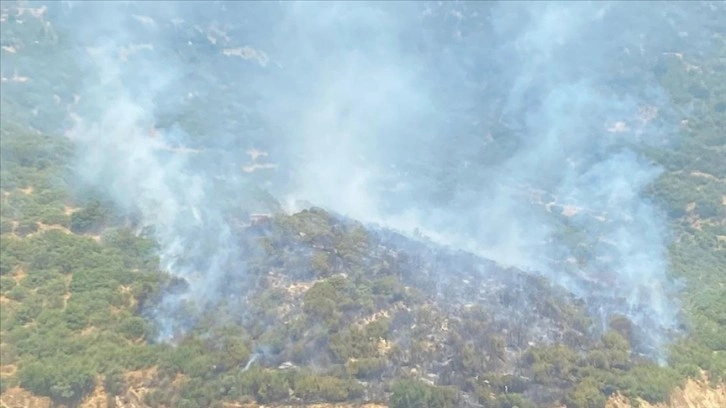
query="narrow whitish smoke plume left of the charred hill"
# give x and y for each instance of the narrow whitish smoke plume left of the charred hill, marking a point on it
(142, 169)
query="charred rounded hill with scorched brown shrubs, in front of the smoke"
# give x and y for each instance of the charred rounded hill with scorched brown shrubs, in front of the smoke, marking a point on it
(335, 299)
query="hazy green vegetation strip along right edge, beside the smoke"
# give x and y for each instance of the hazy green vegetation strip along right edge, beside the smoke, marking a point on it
(693, 189)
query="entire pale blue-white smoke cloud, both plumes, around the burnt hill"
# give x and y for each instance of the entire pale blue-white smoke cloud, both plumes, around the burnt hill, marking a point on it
(497, 128)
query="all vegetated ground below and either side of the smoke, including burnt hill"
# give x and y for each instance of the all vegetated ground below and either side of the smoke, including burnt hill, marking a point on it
(339, 312)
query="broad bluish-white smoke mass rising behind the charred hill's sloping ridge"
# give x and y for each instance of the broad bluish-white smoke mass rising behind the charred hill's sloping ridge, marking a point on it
(384, 142)
